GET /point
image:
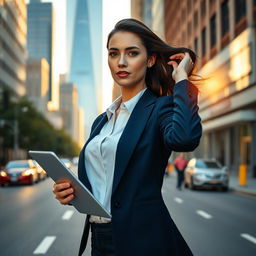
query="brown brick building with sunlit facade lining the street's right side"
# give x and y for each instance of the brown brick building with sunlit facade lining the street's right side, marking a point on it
(222, 33)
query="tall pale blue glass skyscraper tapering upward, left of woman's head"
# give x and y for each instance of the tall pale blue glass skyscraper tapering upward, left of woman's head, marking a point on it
(80, 63)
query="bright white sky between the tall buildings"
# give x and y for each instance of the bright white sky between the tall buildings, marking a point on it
(113, 10)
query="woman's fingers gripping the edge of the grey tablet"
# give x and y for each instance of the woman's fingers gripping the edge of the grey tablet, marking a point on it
(63, 192)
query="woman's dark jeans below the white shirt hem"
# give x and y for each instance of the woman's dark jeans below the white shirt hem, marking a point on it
(102, 240)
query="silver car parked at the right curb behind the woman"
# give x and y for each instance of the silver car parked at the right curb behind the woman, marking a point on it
(206, 174)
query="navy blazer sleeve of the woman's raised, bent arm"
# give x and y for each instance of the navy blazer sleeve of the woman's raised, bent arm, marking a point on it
(179, 121)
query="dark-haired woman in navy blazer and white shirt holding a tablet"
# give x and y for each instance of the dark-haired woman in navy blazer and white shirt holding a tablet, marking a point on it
(124, 159)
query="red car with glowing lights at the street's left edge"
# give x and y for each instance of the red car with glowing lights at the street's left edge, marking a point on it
(19, 172)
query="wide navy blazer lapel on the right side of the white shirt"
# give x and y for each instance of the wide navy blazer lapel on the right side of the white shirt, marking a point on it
(131, 134)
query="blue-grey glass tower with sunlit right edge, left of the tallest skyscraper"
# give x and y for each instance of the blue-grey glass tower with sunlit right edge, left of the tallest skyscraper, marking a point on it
(41, 25)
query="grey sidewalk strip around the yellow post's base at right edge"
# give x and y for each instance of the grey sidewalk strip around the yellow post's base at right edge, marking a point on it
(249, 189)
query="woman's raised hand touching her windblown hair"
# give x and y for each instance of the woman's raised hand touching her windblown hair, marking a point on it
(182, 70)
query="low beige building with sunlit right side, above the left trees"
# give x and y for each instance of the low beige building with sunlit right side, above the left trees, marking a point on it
(38, 83)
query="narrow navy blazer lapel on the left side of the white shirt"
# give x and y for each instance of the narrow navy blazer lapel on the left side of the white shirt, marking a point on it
(81, 166)
